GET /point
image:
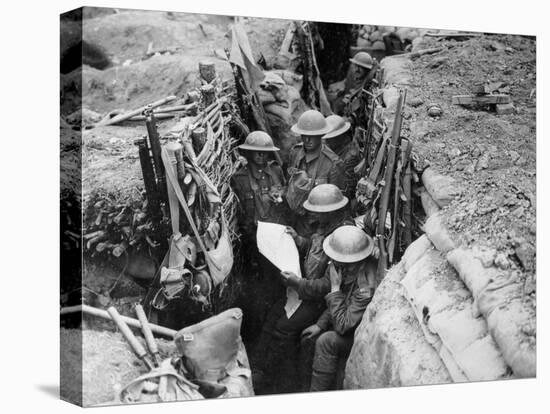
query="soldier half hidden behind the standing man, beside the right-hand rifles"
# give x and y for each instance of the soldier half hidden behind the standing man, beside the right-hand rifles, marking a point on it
(341, 142)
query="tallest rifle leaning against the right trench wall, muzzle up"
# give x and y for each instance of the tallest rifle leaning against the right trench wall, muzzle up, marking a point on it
(385, 197)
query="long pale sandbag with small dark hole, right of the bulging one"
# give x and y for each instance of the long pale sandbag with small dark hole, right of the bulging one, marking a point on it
(444, 308)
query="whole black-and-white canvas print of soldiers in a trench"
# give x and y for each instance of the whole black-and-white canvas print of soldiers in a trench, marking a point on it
(255, 206)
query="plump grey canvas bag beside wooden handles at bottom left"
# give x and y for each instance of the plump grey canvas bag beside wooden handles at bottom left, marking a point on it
(209, 348)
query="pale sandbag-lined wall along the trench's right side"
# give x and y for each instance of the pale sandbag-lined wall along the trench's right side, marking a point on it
(445, 313)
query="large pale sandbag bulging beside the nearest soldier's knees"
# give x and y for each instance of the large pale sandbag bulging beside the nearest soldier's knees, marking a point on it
(389, 347)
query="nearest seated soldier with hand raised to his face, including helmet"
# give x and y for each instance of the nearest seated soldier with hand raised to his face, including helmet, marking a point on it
(348, 286)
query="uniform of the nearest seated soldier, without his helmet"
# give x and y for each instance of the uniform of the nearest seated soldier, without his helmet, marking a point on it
(345, 309)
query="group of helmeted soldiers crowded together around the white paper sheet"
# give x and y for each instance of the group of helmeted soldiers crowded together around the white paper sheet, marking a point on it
(315, 201)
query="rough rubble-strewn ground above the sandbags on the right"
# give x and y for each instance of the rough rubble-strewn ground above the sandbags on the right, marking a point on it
(492, 156)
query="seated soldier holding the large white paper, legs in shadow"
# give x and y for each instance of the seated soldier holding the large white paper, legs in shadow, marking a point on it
(280, 335)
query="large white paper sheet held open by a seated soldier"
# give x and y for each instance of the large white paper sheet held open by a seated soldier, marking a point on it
(279, 248)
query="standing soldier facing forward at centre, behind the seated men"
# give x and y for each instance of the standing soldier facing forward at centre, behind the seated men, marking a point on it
(311, 163)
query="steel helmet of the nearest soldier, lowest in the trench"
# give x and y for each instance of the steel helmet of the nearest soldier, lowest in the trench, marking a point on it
(348, 244)
